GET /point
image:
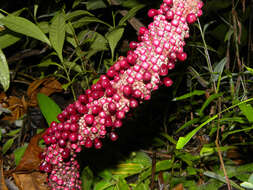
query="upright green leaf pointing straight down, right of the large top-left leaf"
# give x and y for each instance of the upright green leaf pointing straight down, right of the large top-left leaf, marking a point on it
(57, 34)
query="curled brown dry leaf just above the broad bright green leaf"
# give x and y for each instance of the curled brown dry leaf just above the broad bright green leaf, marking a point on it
(46, 86)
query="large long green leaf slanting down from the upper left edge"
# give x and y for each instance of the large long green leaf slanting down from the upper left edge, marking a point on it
(25, 27)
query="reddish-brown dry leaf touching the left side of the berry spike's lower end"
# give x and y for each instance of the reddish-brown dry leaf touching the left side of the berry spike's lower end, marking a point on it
(30, 160)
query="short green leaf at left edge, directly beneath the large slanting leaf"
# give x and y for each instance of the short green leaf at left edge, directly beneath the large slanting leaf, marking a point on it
(8, 38)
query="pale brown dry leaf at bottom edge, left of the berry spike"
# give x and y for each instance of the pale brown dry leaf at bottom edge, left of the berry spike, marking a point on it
(31, 181)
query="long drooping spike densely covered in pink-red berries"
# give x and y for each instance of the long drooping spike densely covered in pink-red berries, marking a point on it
(130, 81)
